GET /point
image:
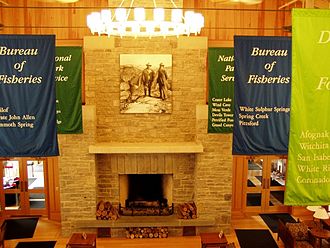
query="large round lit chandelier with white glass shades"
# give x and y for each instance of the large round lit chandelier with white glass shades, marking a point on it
(134, 22)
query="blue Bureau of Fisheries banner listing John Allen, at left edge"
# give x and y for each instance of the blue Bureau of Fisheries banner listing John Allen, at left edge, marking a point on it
(27, 96)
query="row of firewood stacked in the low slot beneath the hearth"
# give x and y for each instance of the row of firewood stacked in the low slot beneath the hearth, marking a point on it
(146, 232)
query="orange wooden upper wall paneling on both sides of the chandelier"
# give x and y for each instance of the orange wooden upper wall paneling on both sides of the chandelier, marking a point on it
(68, 21)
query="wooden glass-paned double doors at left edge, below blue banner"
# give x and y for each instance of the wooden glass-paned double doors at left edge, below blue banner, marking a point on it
(24, 186)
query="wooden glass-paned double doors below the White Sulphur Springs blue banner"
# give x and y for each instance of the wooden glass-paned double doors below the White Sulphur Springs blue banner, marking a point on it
(259, 184)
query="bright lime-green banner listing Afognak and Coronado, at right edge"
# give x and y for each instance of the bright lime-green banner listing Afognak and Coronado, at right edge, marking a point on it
(308, 175)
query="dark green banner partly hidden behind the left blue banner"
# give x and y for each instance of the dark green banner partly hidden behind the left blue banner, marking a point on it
(68, 61)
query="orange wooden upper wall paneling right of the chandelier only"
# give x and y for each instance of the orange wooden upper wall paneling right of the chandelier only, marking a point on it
(223, 21)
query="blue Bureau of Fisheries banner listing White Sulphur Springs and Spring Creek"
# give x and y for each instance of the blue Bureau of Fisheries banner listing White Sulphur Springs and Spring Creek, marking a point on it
(261, 95)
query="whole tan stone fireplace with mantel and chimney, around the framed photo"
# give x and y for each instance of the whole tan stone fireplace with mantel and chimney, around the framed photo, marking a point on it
(93, 164)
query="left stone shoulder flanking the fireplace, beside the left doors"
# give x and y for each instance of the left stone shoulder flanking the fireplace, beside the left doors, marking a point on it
(77, 173)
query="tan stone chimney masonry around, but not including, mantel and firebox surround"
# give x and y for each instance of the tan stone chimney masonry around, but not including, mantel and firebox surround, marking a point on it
(204, 178)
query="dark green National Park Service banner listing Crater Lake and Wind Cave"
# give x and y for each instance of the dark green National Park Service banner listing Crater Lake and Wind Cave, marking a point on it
(221, 90)
